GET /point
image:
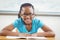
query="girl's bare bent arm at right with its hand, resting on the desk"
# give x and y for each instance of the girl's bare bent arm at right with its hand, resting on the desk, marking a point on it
(47, 32)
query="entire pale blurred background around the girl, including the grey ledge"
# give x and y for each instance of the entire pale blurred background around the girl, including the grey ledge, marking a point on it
(48, 11)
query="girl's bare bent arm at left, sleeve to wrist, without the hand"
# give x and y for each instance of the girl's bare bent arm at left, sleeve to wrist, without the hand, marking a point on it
(7, 31)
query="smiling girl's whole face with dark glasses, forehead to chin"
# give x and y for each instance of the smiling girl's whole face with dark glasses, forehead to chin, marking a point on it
(27, 14)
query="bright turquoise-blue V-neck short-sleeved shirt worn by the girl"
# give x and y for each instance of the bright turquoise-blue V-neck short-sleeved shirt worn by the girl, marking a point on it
(19, 24)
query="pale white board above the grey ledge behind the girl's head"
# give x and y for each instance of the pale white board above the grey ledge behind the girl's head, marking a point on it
(41, 6)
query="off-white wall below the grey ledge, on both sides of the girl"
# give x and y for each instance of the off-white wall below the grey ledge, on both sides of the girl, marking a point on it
(52, 21)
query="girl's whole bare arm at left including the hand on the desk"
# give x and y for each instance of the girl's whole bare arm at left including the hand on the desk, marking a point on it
(7, 31)
